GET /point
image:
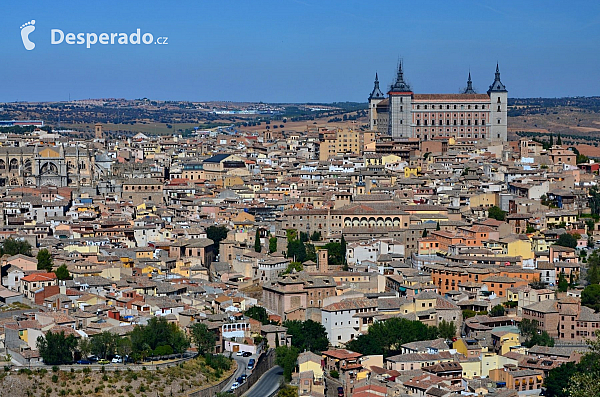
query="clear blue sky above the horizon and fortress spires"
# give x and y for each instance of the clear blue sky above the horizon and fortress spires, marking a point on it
(300, 51)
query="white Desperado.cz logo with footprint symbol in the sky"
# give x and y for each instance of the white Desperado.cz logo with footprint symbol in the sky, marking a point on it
(57, 36)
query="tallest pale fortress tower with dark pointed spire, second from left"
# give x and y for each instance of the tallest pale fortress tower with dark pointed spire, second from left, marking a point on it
(400, 98)
